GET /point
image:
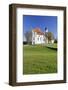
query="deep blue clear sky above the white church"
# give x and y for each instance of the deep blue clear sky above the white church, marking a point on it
(32, 21)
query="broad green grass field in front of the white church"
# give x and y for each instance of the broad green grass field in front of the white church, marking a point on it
(39, 60)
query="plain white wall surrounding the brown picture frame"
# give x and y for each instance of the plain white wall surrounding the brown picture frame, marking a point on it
(4, 47)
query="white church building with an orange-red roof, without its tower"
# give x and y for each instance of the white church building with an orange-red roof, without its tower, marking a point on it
(38, 37)
